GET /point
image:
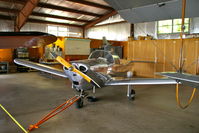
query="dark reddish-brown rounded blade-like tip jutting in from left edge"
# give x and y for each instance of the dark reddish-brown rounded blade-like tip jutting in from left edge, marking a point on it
(25, 39)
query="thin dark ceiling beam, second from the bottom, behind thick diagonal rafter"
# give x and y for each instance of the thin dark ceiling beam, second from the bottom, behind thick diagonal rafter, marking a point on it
(2, 9)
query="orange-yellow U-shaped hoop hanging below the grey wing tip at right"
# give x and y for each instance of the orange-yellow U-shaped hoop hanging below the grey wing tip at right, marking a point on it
(190, 99)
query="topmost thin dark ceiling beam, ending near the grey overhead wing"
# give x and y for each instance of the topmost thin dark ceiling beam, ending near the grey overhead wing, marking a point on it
(88, 3)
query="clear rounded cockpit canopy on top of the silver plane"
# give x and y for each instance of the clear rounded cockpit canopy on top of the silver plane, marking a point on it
(106, 56)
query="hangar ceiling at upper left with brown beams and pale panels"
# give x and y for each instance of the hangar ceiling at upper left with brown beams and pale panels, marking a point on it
(76, 13)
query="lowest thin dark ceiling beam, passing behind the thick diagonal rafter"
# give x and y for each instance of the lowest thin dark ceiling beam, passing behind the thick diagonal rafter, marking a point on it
(3, 17)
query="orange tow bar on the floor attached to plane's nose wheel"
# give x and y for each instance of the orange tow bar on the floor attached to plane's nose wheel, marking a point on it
(54, 112)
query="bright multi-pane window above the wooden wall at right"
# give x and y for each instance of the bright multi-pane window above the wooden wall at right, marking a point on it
(172, 26)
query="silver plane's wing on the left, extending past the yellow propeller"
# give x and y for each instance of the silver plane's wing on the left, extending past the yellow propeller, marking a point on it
(41, 67)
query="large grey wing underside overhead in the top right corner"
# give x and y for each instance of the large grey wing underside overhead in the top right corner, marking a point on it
(139, 11)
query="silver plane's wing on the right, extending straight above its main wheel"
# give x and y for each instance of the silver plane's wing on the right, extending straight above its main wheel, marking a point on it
(142, 81)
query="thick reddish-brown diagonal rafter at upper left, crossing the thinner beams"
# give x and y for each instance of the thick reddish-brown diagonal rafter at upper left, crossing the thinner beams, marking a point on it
(24, 14)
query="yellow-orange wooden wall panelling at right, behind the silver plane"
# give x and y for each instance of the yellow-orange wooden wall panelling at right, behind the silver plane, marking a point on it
(166, 55)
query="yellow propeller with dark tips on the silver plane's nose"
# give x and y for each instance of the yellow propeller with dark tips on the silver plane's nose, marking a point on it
(72, 68)
